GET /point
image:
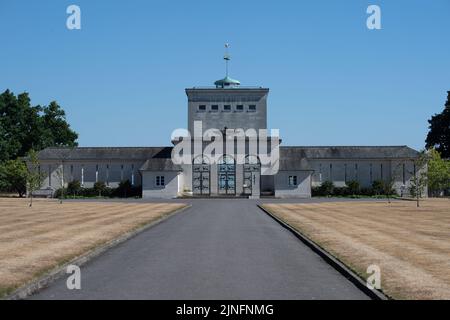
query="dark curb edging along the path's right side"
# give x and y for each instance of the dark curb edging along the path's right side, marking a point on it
(330, 259)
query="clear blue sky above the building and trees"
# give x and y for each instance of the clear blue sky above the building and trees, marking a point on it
(121, 78)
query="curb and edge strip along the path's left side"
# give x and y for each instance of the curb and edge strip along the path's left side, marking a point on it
(56, 273)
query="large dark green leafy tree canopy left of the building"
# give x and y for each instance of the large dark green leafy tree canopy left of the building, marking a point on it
(24, 127)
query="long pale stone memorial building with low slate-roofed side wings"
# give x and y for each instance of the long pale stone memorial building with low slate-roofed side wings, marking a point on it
(301, 168)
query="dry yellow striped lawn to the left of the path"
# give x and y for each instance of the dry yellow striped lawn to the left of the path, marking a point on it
(34, 240)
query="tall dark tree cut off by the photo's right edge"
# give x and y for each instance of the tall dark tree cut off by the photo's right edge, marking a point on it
(439, 134)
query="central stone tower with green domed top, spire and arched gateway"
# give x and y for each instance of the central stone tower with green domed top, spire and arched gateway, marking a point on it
(226, 106)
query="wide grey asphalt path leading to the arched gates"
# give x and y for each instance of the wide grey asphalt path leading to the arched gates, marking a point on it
(217, 249)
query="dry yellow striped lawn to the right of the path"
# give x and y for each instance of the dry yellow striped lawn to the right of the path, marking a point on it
(411, 245)
